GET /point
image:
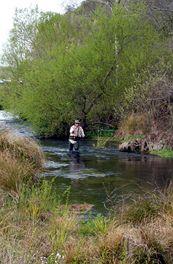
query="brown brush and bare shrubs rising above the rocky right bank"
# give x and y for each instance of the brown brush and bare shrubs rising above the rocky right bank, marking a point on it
(151, 114)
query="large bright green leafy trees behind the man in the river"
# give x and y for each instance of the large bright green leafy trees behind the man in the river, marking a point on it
(79, 66)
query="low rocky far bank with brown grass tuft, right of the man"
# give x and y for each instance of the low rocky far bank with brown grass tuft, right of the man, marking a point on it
(146, 134)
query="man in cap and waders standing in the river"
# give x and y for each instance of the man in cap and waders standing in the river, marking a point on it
(76, 133)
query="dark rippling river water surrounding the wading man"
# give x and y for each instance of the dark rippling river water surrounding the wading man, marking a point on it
(100, 176)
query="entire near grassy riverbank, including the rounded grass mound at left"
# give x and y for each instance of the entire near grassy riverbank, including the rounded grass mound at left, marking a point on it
(39, 226)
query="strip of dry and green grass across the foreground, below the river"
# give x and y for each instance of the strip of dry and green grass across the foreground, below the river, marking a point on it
(27, 238)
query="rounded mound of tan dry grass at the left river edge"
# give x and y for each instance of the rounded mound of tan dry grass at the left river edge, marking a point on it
(20, 161)
